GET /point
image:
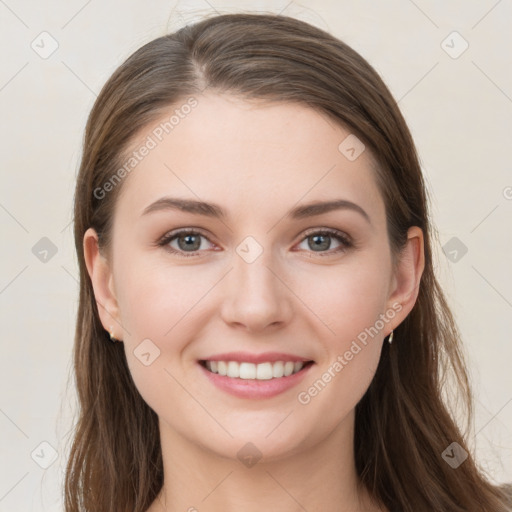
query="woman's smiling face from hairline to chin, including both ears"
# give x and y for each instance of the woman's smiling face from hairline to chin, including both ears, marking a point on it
(255, 279)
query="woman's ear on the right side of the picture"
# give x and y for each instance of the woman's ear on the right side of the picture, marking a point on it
(406, 278)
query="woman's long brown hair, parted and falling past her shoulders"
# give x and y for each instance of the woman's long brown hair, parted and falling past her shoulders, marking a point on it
(403, 423)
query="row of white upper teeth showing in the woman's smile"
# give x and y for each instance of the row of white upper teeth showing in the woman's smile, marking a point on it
(262, 371)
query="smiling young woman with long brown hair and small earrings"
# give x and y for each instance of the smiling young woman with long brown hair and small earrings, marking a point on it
(260, 326)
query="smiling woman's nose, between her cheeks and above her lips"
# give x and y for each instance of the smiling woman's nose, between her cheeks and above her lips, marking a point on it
(255, 295)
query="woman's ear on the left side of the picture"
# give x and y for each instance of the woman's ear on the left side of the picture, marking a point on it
(103, 284)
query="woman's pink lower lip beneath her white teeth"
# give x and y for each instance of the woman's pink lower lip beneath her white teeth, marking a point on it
(255, 389)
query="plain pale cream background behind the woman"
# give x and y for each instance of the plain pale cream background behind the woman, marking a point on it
(458, 107)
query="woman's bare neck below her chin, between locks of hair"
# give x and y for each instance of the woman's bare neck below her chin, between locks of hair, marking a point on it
(321, 477)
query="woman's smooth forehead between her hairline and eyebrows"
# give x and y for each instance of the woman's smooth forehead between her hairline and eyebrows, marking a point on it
(248, 156)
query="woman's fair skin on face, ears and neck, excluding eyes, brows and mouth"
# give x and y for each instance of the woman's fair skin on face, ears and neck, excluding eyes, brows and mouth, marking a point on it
(256, 160)
